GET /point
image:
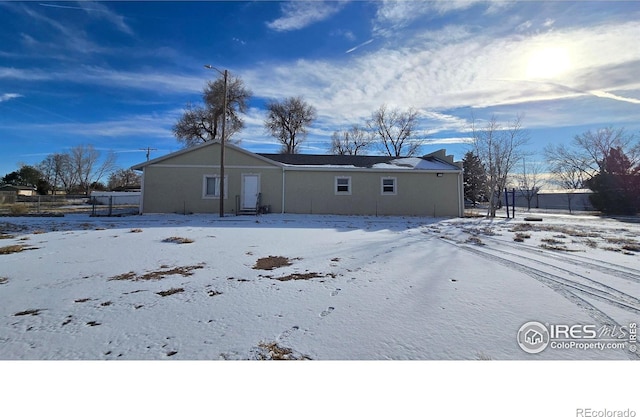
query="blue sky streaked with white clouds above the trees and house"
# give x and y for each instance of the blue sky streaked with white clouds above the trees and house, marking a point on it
(117, 75)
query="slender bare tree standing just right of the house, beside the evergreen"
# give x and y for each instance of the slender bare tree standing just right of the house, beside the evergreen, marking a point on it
(500, 149)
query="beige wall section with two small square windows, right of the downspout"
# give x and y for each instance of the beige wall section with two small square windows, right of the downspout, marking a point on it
(417, 193)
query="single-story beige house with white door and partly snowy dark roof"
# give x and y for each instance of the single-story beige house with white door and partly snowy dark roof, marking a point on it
(188, 181)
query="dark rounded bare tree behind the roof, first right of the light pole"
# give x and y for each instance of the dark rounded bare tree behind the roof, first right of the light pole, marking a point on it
(288, 121)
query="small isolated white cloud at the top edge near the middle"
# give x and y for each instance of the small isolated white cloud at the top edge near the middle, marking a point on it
(300, 14)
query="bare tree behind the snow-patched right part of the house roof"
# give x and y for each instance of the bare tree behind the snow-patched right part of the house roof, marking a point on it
(394, 129)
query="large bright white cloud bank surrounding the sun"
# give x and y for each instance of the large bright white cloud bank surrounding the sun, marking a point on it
(474, 70)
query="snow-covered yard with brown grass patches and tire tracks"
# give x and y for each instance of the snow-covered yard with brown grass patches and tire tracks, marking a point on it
(310, 287)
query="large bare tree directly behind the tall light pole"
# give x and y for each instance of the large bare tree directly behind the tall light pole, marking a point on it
(200, 124)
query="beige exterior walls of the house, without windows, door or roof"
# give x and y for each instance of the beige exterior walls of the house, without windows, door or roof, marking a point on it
(175, 185)
